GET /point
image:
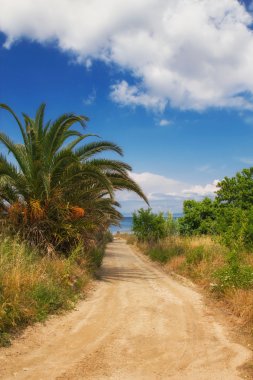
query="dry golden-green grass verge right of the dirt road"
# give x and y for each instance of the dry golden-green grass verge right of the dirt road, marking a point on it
(225, 275)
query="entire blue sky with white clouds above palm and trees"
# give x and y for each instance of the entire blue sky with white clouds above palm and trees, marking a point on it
(169, 81)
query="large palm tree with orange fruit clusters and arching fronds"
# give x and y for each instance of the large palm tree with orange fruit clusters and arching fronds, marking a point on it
(58, 191)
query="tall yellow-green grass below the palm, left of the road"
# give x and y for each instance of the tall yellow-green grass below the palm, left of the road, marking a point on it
(33, 286)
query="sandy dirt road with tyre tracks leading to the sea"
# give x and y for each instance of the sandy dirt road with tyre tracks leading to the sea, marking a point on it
(138, 324)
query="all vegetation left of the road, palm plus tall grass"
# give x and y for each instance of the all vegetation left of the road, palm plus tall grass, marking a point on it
(57, 200)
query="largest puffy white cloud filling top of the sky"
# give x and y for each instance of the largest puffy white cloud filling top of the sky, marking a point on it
(191, 54)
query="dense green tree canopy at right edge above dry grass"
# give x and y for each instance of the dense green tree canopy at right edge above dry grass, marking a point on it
(229, 215)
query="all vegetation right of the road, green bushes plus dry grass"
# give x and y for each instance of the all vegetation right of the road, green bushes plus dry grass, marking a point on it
(212, 243)
